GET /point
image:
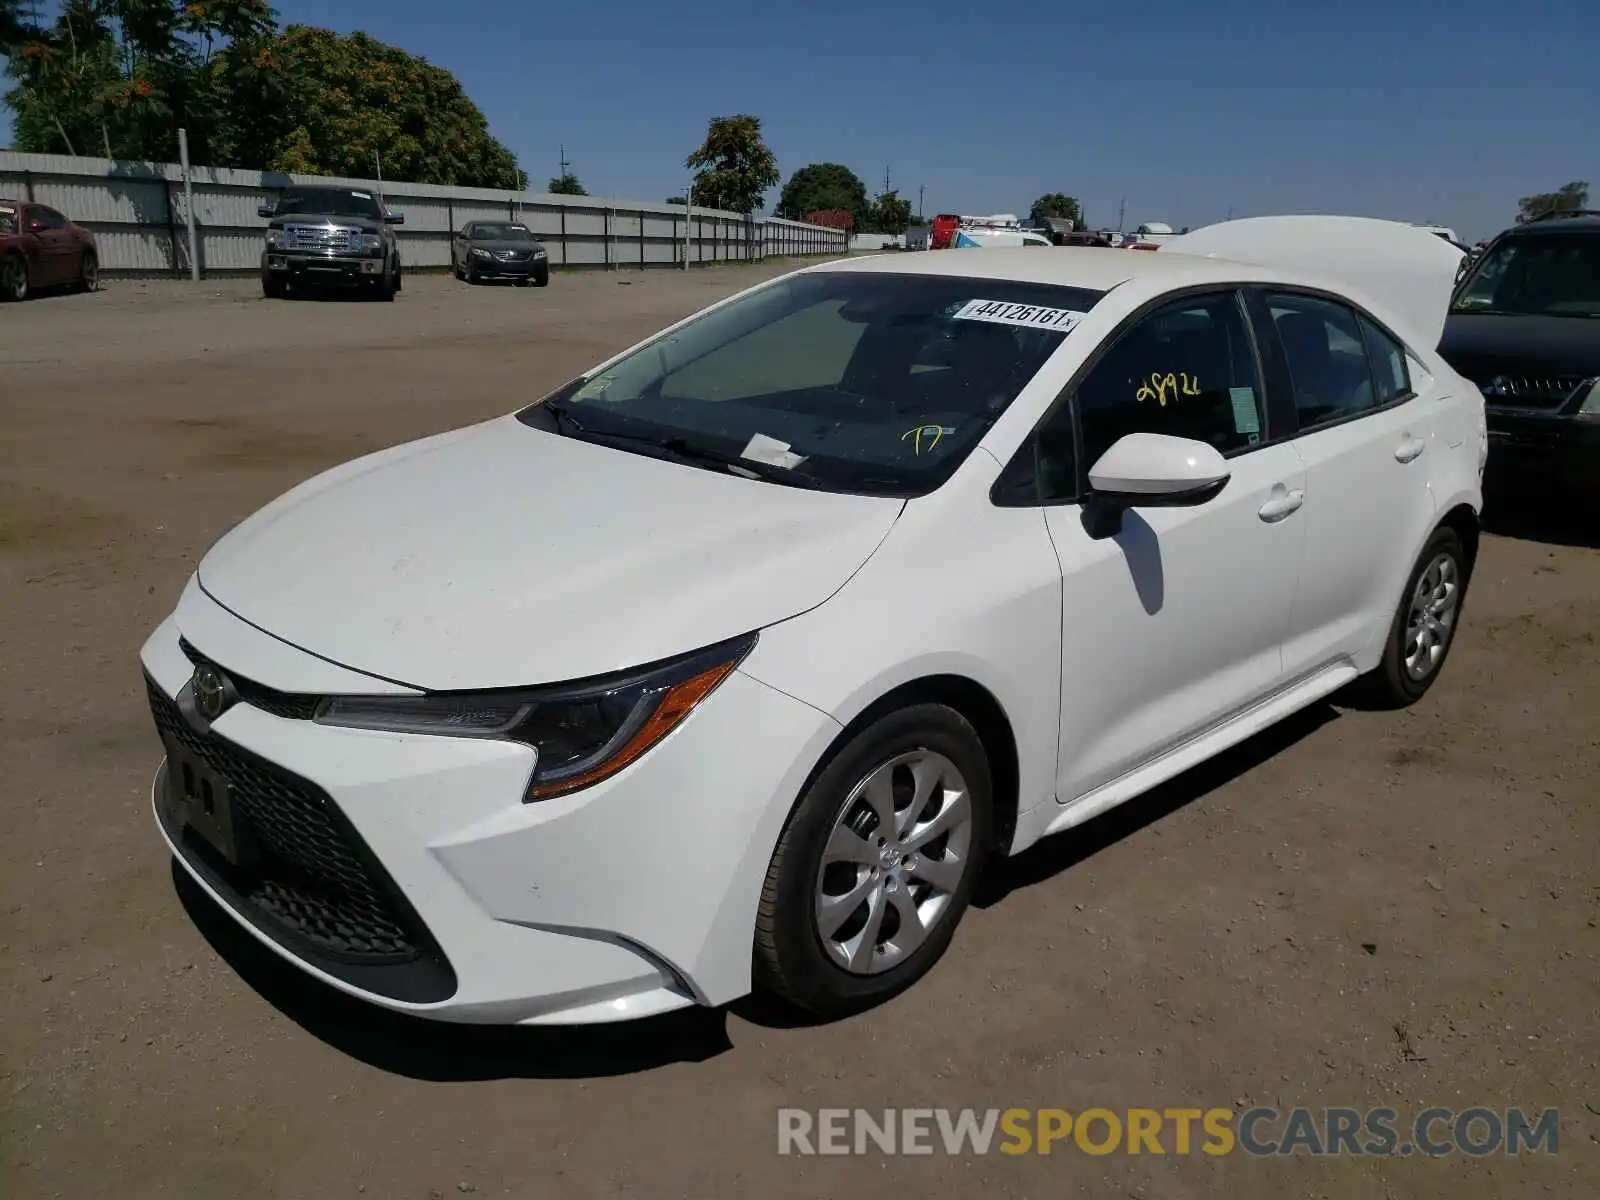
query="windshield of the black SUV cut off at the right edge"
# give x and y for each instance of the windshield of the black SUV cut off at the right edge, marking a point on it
(1537, 276)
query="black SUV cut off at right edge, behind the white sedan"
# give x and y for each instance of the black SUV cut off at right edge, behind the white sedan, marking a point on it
(1526, 327)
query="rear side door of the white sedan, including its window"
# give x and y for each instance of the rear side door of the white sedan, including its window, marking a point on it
(1367, 438)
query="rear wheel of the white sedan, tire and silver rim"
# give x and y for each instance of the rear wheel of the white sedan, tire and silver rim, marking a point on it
(1439, 586)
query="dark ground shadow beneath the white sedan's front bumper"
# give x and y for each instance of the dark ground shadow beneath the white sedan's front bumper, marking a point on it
(439, 1052)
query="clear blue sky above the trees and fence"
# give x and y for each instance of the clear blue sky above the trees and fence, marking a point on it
(1410, 110)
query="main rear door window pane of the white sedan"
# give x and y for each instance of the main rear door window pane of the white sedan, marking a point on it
(1327, 358)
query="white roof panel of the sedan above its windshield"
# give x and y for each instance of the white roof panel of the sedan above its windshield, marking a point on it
(1094, 268)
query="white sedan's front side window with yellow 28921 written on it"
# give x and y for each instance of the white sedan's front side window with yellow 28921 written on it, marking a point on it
(1188, 370)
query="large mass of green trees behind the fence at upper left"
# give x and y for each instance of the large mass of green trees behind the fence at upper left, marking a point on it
(119, 78)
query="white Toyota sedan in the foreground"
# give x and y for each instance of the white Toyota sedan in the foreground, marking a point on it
(730, 663)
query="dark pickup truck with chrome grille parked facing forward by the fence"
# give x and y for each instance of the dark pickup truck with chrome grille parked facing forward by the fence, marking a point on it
(330, 238)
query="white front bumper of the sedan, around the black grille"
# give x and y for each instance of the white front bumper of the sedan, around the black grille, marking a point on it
(409, 871)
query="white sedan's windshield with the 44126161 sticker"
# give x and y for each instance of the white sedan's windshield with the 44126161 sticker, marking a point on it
(870, 383)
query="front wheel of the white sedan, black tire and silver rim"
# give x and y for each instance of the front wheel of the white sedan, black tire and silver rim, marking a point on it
(825, 964)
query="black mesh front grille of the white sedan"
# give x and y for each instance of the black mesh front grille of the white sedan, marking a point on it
(311, 884)
